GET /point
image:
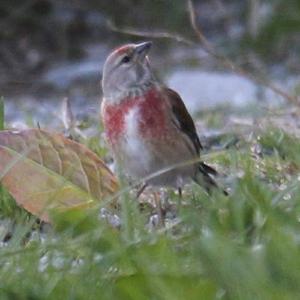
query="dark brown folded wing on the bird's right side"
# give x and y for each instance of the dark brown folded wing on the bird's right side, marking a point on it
(182, 118)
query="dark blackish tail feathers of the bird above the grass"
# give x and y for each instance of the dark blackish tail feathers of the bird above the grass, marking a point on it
(205, 179)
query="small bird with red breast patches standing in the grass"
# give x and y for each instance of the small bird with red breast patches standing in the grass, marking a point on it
(147, 125)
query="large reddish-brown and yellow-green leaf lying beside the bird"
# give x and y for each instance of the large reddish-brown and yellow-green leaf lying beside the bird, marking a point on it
(44, 170)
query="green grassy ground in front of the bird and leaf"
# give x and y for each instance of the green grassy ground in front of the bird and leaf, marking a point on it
(244, 246)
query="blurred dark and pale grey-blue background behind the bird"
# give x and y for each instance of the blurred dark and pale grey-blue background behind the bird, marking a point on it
(51, 49)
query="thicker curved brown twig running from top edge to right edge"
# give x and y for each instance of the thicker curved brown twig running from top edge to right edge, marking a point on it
(210, 49)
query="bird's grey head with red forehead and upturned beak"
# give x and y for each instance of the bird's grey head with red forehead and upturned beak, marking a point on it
(126, 68)
